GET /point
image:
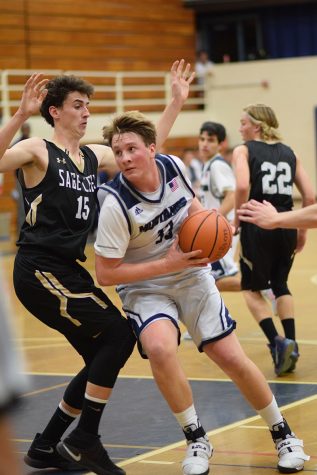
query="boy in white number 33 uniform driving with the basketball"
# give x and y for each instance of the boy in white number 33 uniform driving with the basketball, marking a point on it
(137, 249)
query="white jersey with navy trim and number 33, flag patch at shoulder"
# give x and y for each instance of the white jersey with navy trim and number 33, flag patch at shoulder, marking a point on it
(151, 222)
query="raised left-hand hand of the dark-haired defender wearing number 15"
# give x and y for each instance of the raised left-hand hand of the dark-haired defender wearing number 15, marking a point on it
(33, 95)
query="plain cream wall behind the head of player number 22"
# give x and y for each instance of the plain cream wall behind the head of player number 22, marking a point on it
(291, 93)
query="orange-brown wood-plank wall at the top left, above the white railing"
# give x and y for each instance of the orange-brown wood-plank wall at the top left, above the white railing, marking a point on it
(95, 35)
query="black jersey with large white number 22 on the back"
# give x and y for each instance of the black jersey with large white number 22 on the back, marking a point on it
(272, 173)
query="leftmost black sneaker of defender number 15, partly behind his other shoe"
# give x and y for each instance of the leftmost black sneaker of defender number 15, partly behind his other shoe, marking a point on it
(43, 454)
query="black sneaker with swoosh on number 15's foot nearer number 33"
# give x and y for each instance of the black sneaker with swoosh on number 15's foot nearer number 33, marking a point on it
(88, 451)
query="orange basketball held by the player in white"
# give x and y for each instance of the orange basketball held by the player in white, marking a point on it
(208, 231)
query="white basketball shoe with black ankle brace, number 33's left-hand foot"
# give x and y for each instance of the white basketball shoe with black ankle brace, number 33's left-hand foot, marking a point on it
(199, 451)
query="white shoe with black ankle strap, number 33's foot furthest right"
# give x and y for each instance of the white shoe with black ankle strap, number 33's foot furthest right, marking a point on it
(291, 456)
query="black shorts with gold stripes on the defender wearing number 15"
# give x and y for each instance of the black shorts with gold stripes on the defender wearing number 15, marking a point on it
(62, 294)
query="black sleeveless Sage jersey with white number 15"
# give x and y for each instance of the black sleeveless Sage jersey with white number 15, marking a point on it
(60, 211)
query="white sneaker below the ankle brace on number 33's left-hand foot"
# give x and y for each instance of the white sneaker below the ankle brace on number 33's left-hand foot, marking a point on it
(197, 457)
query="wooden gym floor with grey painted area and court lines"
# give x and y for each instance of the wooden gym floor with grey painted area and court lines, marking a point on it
(137, 428)
